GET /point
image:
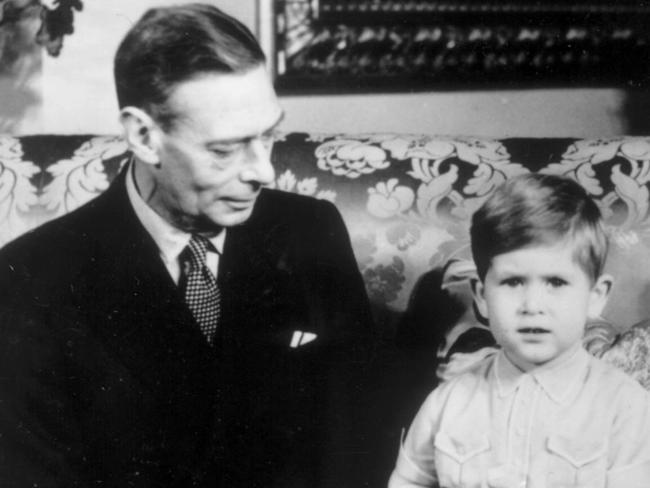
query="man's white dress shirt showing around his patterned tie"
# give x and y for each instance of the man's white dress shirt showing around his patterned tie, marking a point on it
(170, 240)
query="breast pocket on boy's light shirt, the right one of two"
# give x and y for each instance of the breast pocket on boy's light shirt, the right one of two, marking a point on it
(576, 462)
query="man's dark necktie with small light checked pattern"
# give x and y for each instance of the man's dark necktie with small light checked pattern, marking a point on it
(200, 286)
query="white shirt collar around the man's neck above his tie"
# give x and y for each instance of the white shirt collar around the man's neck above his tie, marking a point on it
(170, 240)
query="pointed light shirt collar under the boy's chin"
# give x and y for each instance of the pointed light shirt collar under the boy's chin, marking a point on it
(557, 378)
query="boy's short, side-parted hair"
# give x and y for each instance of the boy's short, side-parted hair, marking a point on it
(535, 209)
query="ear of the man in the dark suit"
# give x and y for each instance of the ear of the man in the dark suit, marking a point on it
(141, 133)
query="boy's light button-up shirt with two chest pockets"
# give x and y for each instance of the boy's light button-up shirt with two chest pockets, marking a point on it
(571, 423)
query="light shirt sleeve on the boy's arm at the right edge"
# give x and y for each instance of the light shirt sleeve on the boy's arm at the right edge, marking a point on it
(629, 465)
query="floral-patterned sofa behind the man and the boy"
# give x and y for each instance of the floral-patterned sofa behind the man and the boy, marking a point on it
(406, 200)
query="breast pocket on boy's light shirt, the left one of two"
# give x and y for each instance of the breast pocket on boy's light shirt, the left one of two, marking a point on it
(461, 459)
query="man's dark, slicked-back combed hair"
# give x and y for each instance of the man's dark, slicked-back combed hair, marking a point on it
(169, 45)
